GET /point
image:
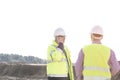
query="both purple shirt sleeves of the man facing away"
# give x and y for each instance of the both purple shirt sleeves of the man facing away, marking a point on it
(113, 63)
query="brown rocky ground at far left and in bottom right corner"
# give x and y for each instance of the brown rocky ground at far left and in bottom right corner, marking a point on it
(20, 71)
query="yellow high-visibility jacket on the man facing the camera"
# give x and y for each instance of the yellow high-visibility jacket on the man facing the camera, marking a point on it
(57, 65)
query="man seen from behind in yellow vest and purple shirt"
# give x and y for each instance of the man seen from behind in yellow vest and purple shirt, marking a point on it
(96, 61)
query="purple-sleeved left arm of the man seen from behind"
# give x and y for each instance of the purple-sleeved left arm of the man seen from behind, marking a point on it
(79, 65)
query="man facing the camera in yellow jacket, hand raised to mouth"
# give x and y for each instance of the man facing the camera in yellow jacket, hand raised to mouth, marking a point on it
(59, 65)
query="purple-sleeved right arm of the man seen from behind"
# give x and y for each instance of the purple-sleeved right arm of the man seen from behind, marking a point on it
(114, 65)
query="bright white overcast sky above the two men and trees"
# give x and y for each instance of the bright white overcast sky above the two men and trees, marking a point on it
(27, 26)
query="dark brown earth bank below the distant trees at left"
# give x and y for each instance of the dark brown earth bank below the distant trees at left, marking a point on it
(23, 70)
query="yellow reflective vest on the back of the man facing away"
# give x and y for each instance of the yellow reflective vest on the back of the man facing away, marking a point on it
(96, 57)
